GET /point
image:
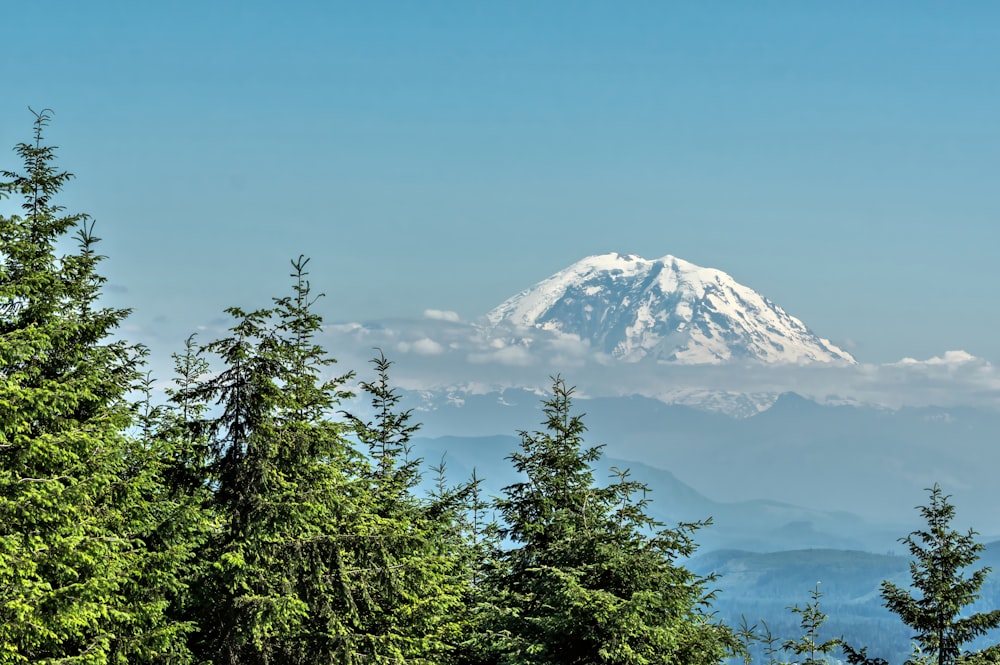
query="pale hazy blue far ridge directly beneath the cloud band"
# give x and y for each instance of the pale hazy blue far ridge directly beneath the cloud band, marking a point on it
(858, 459)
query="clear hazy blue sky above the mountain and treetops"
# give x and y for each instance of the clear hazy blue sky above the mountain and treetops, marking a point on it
(842, 158)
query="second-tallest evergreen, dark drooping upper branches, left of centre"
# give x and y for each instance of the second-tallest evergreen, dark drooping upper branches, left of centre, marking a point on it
(278, 587)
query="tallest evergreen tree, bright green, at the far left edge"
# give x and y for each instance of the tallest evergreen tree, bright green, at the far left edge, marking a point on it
(72, 484)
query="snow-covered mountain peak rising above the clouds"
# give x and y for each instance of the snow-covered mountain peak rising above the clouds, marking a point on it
(668, 310)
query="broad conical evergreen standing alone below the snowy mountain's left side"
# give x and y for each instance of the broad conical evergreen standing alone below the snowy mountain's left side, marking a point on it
(588, 576)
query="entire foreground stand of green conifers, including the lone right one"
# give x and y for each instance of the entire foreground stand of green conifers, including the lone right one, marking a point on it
(247, 518)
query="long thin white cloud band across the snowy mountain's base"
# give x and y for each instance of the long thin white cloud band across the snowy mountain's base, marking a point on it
(442, 353)
